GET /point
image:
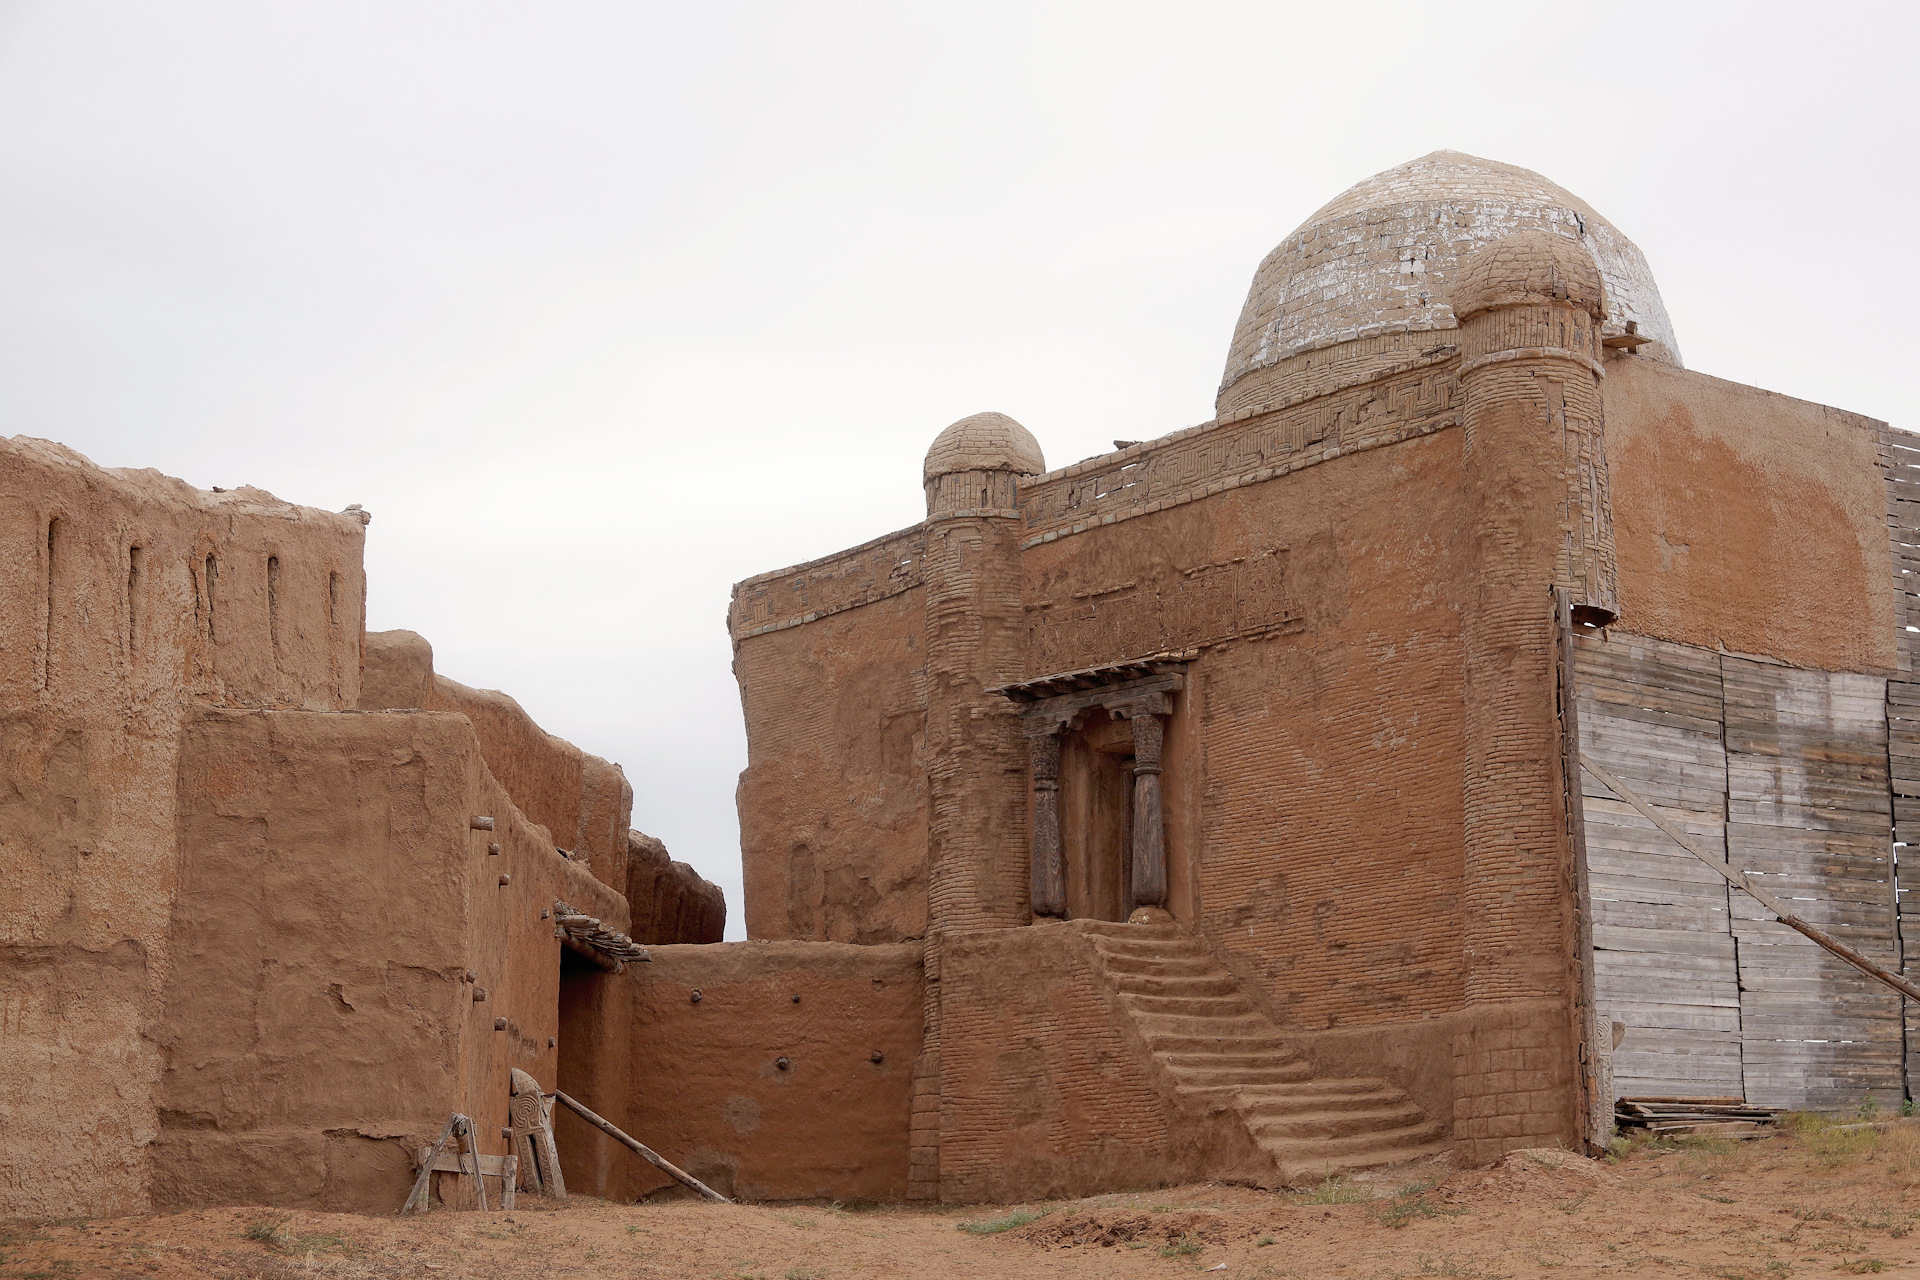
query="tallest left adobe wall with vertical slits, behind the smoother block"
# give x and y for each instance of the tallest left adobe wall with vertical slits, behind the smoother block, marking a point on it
(110, 623)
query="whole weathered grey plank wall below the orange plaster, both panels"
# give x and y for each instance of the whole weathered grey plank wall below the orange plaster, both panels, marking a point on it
(1785, 770)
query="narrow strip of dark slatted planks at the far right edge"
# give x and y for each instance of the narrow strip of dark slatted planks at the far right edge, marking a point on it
(1900, 454)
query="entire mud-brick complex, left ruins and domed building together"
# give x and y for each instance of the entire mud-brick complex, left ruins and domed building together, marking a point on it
(1211, 809)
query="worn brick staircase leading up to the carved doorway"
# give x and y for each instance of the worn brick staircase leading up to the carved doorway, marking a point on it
(1222, 1053)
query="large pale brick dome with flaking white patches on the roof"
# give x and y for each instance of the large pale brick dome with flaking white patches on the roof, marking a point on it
(1378, 262)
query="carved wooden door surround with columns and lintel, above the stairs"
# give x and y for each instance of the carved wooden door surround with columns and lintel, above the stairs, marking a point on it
(1099, 840)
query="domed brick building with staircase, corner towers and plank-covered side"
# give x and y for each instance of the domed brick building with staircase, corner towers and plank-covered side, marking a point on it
(1222, 795)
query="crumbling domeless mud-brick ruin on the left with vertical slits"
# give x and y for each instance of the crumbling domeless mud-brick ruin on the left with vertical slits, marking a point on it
(258, 945)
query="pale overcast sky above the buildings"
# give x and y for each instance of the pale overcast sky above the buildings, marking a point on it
(600, 308)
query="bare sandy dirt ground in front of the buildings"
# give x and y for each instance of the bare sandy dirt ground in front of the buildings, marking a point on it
(1810, 1202)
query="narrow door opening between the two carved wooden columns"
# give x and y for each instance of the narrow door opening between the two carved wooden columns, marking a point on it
(1097, 818)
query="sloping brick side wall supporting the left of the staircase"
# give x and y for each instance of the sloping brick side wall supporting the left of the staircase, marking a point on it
(1047, 1091)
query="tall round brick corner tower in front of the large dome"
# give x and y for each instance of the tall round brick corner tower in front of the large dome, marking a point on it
(1529, 312)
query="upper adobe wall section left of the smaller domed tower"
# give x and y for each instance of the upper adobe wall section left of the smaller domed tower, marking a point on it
(834, 799)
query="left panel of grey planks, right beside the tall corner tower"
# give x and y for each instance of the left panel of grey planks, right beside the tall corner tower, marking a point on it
(1664, 947)
